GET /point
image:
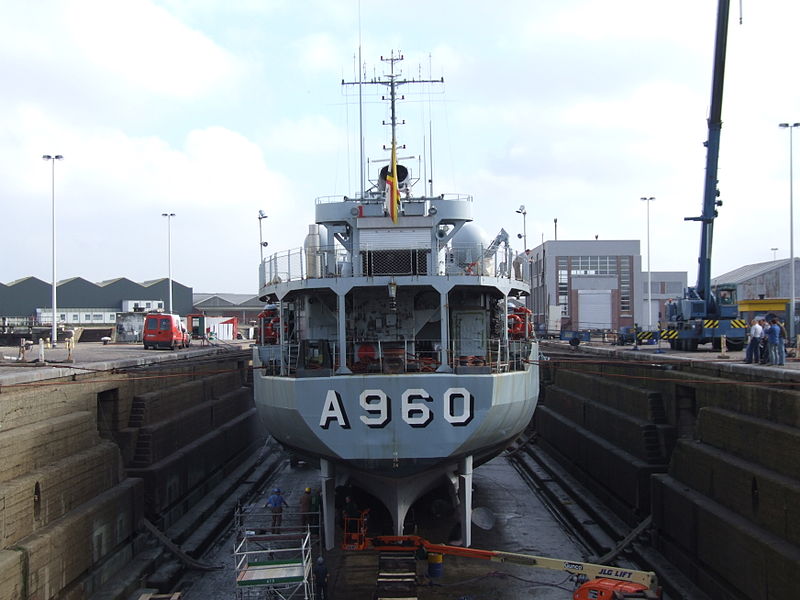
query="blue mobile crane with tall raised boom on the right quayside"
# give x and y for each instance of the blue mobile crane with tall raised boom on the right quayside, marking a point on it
(700, 317)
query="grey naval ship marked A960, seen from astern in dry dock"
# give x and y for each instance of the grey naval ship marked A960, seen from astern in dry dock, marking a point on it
(396, 348)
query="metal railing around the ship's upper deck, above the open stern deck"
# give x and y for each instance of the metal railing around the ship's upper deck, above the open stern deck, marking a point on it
(479, 260)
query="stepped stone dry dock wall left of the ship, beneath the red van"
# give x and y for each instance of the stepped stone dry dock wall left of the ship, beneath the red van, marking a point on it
(71, 497)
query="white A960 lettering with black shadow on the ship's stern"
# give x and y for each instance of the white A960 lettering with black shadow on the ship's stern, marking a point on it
(417, 408)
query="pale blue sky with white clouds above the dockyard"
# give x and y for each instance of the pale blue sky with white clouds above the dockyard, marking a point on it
(214, 110)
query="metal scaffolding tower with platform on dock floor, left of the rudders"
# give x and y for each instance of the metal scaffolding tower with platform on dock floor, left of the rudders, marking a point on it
(274, 562)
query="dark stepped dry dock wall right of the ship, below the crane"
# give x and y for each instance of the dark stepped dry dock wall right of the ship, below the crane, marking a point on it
(725, 498)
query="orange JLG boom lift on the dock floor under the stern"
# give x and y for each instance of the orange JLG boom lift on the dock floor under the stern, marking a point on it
(594, 582)
